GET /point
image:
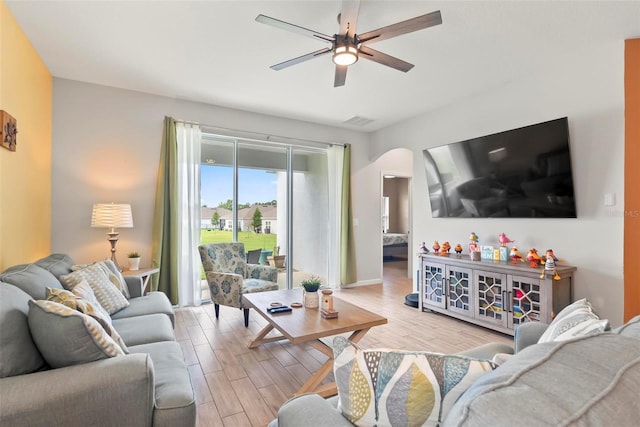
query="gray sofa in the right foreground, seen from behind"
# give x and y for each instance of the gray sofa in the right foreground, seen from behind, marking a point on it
(589, 381)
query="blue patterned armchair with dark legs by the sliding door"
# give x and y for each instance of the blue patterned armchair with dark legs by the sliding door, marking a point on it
(229, 276)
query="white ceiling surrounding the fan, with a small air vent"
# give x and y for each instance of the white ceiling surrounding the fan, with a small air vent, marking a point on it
(214, 51)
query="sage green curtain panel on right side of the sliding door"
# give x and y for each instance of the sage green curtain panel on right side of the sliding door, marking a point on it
(347, 246)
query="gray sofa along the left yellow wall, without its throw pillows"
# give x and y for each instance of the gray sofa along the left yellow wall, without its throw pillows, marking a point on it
(150, 386)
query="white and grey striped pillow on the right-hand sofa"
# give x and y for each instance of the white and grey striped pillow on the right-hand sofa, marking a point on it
(575, 320)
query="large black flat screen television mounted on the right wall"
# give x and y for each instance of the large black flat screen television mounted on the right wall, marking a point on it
(519, 173)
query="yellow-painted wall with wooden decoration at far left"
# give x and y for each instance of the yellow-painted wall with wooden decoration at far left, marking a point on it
(26, 92)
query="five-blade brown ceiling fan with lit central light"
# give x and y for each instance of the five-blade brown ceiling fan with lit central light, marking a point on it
(347, 46)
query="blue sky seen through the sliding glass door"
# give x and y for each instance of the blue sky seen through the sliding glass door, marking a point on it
(255, 185)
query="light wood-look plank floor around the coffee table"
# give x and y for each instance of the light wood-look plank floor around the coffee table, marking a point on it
(236, 386)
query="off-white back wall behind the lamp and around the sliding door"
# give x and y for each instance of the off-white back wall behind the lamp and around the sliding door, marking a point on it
(106, 147)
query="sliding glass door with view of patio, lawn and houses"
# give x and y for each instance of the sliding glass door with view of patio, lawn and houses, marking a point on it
(272, 197)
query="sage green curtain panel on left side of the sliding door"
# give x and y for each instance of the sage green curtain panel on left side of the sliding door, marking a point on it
(166, 237)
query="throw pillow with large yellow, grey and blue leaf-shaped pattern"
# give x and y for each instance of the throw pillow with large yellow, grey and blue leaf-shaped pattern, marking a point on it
(393, 387)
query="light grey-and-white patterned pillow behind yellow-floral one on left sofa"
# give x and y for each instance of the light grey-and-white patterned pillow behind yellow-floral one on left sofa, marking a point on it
(109, 297)
